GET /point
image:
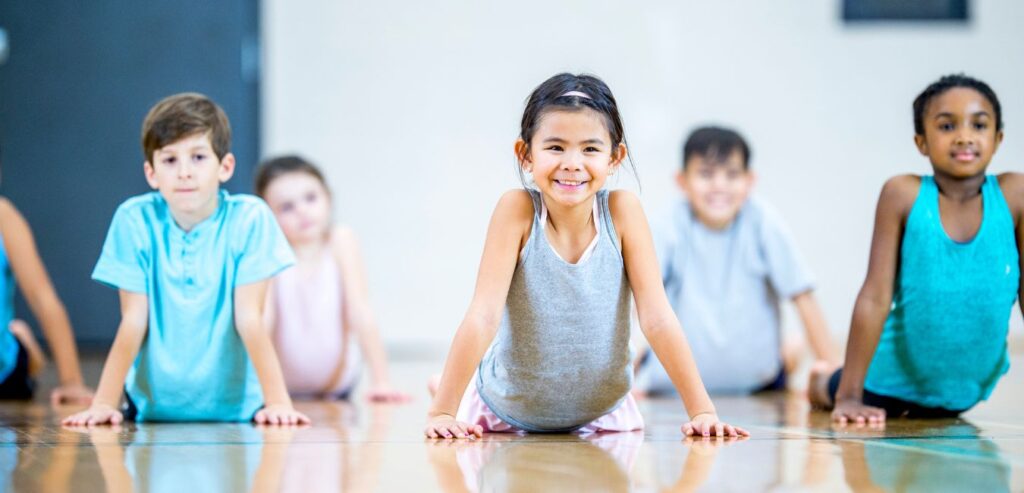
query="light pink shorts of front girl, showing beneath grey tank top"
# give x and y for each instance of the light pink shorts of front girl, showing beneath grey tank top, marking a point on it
(474, 410)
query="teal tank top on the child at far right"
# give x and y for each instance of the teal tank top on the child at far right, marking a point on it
(945, 344)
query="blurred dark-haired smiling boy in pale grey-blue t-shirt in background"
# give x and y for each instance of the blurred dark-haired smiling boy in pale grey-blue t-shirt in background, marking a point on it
(728, 262)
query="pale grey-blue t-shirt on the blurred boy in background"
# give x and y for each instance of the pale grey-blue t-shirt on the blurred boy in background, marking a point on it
(726, 287)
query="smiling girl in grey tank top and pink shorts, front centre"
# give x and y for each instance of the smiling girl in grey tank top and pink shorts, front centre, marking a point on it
(548, 330)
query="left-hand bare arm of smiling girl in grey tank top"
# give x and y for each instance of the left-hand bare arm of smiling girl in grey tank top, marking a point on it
(509, 229)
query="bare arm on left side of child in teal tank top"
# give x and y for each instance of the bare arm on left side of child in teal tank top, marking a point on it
(875, 299)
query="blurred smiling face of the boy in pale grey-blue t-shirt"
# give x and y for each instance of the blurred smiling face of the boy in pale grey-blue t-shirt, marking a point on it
(717, 189)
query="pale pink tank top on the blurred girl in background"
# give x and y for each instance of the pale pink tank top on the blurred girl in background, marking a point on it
(311, 337)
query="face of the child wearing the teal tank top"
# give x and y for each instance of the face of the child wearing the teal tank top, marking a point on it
(961, 134)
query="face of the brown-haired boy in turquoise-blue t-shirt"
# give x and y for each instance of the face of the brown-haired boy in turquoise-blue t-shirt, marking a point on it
(189, 175)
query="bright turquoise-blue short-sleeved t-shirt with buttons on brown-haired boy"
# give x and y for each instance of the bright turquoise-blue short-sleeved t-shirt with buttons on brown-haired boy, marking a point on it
(193, 365)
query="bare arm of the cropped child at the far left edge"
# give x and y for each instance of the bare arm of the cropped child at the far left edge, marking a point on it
(42, 299)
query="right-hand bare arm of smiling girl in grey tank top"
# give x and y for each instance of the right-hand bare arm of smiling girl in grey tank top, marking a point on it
(658, 321)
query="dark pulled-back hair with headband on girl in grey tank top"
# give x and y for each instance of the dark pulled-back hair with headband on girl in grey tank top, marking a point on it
(551, 96)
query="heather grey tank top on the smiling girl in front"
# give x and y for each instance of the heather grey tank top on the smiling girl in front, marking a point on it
(562, 356)
